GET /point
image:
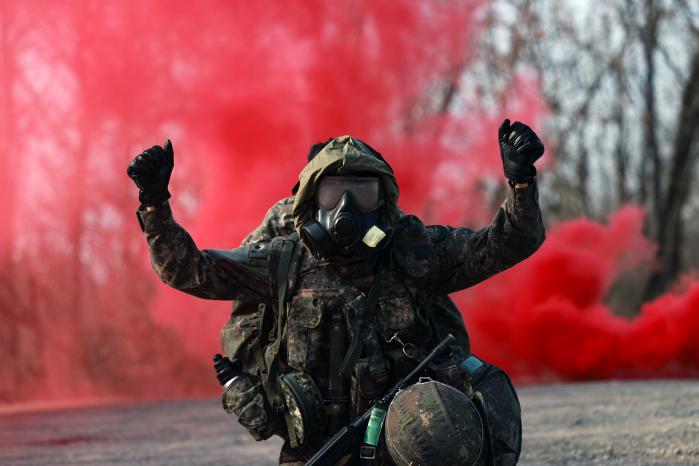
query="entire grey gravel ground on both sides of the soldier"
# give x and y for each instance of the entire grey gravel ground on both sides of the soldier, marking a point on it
(611, 423)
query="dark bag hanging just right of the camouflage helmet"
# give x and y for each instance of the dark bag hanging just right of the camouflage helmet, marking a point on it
(500, 405)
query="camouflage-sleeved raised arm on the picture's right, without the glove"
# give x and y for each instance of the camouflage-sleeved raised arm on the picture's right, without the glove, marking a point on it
(467, 257)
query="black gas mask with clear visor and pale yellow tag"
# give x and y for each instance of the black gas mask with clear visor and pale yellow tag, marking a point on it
(348, 220)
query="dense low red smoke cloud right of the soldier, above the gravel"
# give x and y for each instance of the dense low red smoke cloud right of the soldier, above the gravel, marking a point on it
(552, 322)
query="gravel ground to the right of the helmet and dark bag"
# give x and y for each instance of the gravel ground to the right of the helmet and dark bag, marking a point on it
(612, 423)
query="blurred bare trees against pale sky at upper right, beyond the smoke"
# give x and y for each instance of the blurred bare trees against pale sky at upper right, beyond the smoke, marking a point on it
(621, 79)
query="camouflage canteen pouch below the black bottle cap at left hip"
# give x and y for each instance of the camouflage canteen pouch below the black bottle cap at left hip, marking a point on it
(244, 398)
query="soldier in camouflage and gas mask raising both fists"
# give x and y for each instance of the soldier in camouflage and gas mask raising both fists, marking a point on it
(347, 301)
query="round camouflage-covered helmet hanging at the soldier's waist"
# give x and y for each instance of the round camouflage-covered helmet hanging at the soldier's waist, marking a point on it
(431, 423)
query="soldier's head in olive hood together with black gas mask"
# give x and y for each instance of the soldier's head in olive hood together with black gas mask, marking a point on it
(341, 222)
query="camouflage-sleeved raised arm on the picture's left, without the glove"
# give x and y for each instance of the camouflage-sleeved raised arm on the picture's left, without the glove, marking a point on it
(240, 274)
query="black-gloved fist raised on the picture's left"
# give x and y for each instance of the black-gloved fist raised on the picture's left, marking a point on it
(151, 171)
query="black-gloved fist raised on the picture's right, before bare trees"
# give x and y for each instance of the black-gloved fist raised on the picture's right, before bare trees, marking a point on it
(520, 147)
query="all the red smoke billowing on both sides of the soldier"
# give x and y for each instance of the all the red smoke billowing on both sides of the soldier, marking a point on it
(243, 89)
